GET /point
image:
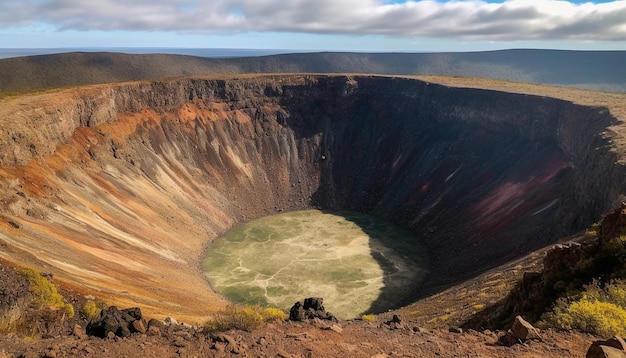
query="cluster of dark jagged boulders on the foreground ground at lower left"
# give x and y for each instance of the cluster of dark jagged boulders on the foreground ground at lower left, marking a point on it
(113, 321)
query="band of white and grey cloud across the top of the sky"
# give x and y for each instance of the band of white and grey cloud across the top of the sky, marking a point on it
(462, 19)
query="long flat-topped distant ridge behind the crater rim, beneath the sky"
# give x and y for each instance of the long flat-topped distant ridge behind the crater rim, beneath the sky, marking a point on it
(597, 70)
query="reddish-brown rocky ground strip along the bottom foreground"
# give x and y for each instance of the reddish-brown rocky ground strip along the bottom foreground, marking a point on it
(296, 339)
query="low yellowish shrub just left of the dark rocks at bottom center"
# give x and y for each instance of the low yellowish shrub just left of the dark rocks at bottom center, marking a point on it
(244, 318)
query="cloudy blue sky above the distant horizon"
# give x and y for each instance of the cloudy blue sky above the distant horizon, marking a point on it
(336, 25)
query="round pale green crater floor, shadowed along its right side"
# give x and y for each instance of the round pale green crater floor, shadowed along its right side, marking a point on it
(357, 263)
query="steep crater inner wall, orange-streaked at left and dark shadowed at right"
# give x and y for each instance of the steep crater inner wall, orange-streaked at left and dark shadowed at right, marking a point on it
(119, 188)
